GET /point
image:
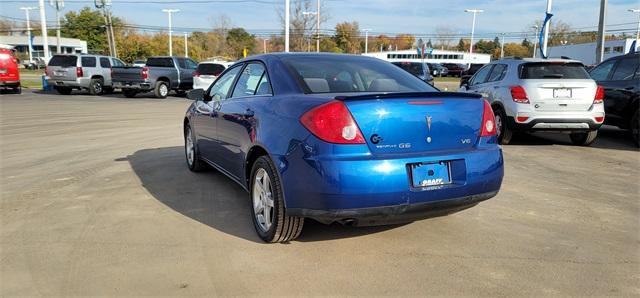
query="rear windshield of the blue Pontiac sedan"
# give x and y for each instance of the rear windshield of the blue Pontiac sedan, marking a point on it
(342, 74)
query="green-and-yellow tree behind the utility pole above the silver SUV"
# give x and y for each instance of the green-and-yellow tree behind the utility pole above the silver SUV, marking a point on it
(88, 25)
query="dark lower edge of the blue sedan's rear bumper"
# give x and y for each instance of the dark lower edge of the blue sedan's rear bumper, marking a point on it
(392, 214)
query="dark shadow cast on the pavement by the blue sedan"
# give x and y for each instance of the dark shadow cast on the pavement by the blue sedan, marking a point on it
(213, 199)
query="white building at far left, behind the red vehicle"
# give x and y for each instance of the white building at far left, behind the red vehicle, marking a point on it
(21, 42)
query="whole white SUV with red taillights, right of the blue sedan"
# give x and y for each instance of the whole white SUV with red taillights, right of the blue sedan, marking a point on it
(540, 95)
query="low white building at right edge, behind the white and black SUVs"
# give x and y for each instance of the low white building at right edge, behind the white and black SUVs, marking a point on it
(586, 52)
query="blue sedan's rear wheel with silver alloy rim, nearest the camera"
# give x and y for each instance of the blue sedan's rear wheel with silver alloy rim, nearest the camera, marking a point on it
(267, 208)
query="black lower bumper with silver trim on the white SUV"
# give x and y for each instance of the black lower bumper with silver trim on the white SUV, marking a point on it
(551, 124)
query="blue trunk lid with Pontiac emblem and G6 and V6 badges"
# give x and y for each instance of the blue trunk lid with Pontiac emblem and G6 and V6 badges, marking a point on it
(417, 122)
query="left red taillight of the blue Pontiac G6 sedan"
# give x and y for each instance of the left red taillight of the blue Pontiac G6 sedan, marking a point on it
(332, 122)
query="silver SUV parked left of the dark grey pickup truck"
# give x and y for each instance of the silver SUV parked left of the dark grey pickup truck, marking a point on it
(90, 72)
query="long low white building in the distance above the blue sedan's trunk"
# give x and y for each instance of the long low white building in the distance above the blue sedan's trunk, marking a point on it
(436, 56)
